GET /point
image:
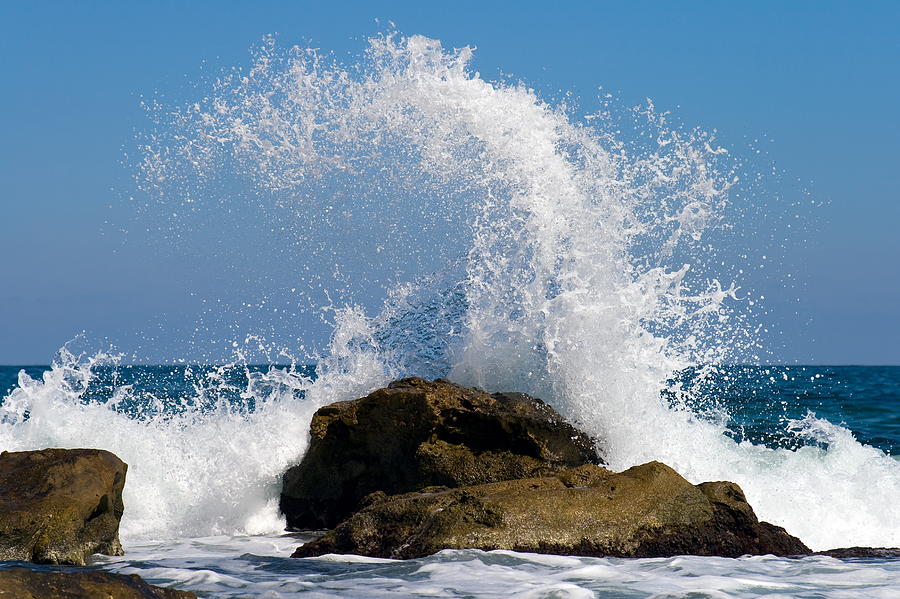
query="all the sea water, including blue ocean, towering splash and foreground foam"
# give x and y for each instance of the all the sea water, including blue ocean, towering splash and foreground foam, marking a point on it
(443, 224)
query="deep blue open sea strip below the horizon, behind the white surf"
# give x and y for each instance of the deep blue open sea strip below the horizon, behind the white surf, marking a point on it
(759, 400)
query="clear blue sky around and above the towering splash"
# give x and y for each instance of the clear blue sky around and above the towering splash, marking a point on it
(819, 78)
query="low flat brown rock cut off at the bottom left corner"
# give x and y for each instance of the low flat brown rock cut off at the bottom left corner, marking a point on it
(22, 583)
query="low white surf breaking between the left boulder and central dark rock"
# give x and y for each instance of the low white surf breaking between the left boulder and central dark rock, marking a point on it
(203, 465)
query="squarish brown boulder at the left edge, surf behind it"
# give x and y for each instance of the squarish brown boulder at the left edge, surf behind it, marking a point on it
(59, 506)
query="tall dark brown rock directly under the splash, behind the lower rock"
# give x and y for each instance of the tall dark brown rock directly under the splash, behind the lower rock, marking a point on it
(416, 434)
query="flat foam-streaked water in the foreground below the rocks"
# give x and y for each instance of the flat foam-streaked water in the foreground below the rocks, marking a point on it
(259, 567)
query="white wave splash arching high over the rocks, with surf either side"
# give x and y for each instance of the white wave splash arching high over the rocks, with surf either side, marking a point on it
(541, 253)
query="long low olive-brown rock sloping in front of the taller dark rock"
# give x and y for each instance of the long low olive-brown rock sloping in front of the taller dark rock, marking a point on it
(645, 511)
